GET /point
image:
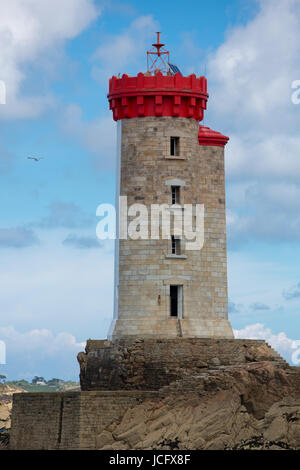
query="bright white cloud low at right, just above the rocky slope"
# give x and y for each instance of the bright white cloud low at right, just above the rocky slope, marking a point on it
(280, 342)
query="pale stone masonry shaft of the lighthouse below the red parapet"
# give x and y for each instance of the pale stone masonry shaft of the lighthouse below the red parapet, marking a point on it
(146, 269)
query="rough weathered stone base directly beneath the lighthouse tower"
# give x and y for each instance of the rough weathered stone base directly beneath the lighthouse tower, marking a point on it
(149, 364)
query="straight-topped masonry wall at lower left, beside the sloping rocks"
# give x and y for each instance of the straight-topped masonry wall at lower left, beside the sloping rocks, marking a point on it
(50, 421)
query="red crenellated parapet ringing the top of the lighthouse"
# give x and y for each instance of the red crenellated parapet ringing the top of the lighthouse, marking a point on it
(158, 95)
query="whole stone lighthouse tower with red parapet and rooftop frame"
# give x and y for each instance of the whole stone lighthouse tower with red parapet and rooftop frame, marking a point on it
(163, 290)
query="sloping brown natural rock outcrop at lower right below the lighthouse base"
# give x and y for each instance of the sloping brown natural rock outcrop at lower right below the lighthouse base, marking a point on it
(240, 407)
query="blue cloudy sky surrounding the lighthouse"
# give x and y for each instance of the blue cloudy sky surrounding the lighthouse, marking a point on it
(56, 58)
